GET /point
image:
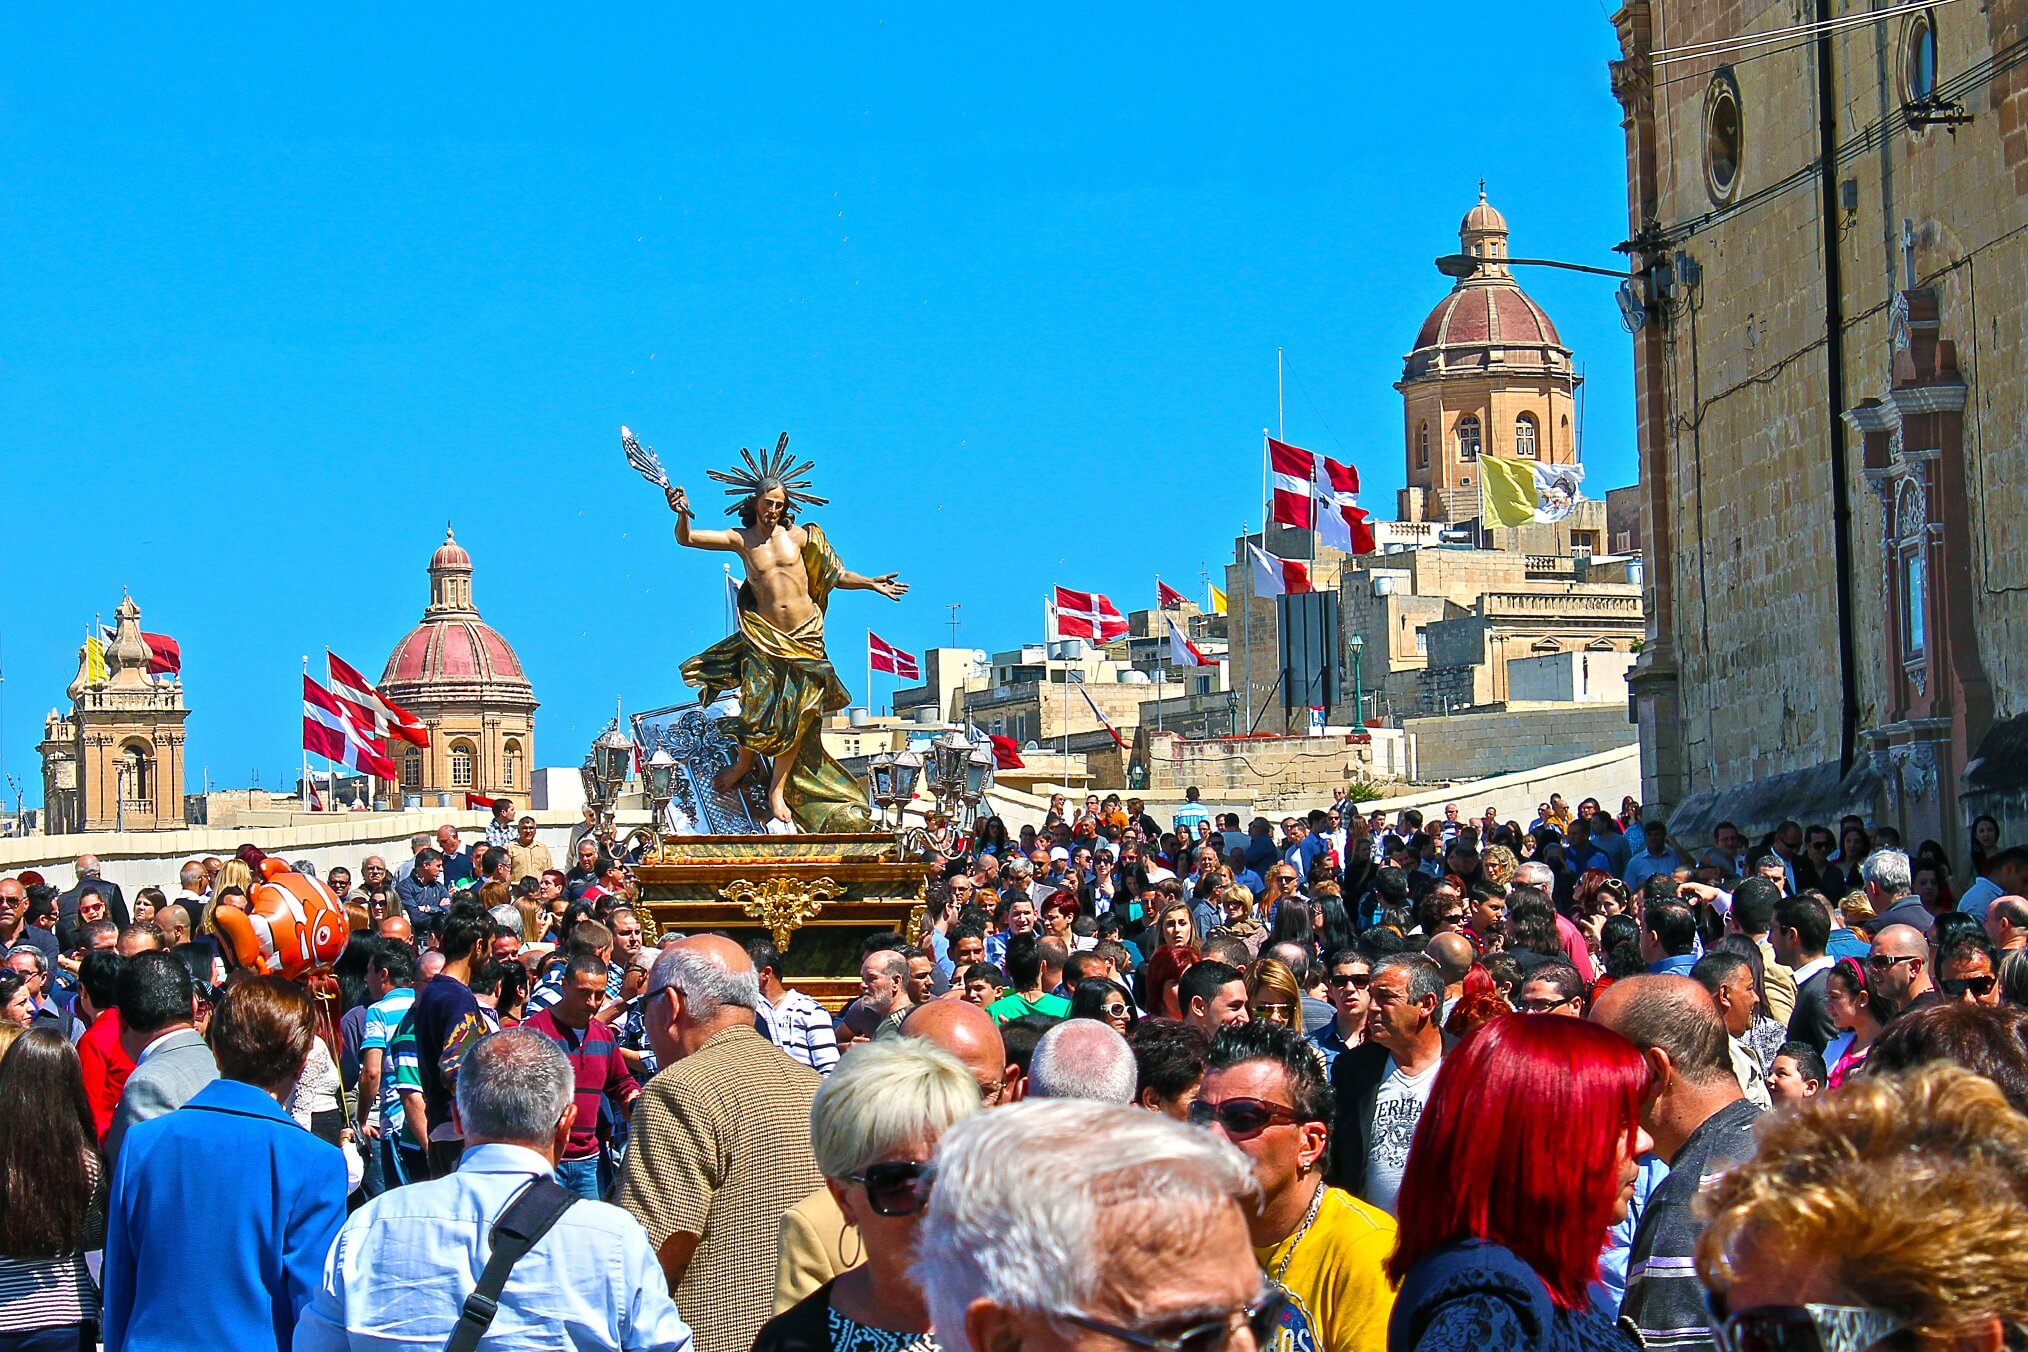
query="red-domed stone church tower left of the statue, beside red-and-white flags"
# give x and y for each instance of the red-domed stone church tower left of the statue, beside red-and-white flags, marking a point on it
(463, 680)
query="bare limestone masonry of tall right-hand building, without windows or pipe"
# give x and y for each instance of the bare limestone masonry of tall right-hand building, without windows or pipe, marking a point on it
(1737, 400)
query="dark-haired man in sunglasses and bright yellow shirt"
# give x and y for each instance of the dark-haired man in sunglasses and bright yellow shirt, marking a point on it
(1319, 1246)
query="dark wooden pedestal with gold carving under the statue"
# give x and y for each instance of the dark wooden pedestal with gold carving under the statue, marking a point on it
(816, 897)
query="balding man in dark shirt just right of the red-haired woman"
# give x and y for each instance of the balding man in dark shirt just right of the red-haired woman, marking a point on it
(1700, 1126)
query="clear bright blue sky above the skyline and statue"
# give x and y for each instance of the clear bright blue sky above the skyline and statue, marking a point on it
(285, 293)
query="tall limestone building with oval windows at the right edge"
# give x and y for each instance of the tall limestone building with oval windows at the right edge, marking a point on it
(1830, 386)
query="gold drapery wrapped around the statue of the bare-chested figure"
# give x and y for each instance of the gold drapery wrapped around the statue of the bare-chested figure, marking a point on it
(788, 686)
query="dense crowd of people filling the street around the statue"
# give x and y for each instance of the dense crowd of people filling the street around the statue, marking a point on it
(1348, 1081)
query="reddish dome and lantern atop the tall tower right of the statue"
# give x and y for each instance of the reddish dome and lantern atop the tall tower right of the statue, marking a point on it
(1488, 323)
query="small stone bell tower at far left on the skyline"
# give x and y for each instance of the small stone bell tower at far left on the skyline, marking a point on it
(115, 761)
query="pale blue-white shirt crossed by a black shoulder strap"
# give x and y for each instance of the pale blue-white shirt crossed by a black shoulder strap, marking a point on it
(405, 1264)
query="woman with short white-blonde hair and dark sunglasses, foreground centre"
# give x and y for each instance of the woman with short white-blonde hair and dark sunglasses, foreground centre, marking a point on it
(873, 1128)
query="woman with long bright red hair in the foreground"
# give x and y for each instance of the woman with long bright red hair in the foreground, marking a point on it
(1524, 1160)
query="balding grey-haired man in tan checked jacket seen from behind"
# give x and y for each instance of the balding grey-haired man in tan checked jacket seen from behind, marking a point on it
(721, 1140)
